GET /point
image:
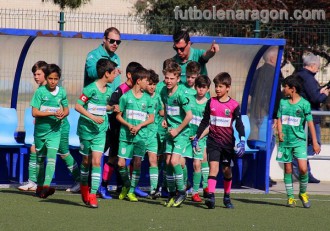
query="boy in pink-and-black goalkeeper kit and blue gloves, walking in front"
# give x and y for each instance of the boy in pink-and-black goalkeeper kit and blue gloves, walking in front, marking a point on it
(220, 112)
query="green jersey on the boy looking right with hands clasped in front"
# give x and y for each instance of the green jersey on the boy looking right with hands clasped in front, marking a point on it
(135, 111)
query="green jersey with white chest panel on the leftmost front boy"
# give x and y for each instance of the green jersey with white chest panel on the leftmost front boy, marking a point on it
(46, 101)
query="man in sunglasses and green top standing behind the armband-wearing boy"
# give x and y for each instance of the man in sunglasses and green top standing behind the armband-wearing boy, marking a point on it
(111, 41)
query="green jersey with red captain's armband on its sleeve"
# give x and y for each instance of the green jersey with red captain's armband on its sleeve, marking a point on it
(94, 102)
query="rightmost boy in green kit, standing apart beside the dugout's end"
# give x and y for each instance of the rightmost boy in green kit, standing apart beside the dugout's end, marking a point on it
(293, 112)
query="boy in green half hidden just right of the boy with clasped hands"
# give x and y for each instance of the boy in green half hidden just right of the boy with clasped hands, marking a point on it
(152, 142)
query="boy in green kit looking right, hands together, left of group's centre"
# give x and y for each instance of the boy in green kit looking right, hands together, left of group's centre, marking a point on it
(136, 112)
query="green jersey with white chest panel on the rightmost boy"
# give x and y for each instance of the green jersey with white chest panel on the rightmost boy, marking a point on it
(293, 118)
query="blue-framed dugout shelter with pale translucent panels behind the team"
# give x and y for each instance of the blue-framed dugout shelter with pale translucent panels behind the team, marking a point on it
(240, 57)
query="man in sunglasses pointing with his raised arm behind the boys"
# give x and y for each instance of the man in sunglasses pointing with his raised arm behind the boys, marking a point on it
(185, 53)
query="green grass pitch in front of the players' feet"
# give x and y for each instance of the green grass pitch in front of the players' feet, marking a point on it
(66, 211)
